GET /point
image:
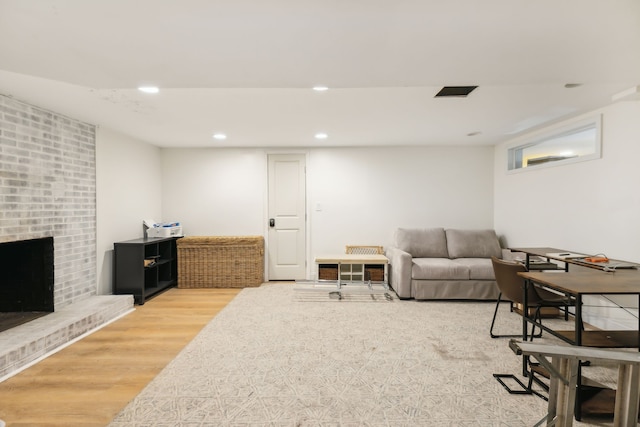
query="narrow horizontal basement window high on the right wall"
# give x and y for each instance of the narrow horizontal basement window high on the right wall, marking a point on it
(577, 142)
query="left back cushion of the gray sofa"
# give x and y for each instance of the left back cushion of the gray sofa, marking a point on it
(422, 242)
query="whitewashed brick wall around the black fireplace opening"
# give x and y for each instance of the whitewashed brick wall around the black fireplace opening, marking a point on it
(48, 189)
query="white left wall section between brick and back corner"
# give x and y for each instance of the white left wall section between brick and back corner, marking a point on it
(128, 184)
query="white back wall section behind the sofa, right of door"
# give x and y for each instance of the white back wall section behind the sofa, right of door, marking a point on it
(366, 193)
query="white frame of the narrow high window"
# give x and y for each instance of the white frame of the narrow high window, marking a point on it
(555, 133)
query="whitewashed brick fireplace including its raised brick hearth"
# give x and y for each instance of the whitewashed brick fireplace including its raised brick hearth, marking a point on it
(48, 193)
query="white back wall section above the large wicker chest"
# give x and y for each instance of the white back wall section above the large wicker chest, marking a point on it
(215, 192)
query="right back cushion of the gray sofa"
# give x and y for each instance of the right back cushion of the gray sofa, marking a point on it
(473, 244)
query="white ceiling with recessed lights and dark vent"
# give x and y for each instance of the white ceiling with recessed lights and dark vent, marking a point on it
(246, 67)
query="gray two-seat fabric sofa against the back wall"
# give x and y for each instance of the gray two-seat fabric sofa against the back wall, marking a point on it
(434, 263)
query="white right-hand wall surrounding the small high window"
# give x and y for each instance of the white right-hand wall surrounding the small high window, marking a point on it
(588, 207)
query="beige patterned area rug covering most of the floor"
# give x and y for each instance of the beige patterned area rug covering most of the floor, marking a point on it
(270, 360)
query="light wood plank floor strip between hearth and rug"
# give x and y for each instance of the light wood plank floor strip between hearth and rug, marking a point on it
(89, 382)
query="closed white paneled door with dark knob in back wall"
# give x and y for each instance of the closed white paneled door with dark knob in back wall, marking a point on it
(287, 217)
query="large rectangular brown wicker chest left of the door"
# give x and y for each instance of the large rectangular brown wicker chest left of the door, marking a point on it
(220, 261)
